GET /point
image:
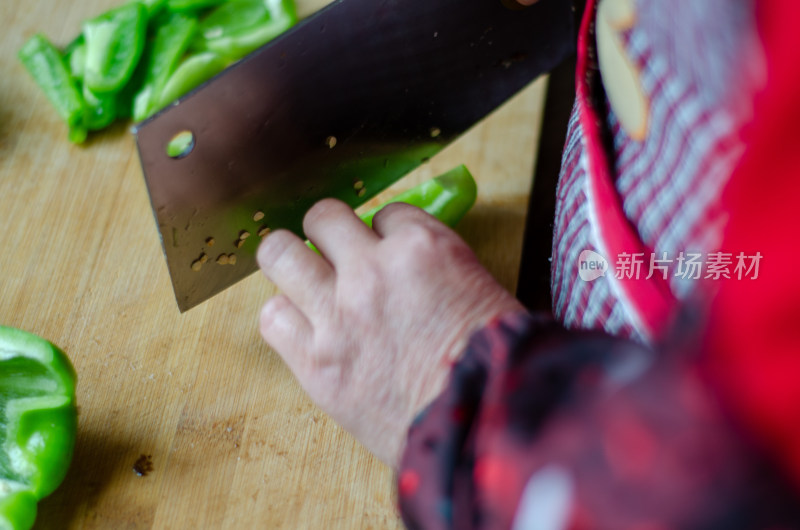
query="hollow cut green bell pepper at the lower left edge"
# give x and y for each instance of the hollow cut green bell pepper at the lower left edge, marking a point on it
(38, 423)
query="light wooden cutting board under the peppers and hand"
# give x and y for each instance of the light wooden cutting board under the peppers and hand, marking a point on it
(233, 441)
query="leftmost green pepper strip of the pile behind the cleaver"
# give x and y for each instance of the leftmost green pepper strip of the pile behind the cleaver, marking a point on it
(49, 70)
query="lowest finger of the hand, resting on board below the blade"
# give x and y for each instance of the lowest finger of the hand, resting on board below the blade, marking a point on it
(287, 330)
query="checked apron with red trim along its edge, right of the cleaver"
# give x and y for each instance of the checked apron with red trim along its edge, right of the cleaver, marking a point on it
(659, 197)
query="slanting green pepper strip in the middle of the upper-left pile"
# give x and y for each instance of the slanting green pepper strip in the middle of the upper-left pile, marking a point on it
(171, 38)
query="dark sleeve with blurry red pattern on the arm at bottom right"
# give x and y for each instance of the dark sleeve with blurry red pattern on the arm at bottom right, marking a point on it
(545, 428)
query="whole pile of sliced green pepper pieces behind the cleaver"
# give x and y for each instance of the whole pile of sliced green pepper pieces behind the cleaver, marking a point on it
(135, 59)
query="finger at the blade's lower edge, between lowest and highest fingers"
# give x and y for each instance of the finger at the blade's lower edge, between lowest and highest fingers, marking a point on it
(305, 276)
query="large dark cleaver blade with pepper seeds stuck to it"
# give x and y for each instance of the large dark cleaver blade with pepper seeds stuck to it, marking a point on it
(342, 105)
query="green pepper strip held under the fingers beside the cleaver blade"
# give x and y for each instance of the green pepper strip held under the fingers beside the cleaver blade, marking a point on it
(447, 197)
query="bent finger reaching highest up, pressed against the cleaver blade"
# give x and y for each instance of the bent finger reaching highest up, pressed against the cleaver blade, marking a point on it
(336, 230)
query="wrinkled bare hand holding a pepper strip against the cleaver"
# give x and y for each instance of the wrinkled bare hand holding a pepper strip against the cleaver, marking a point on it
(371, 327)
